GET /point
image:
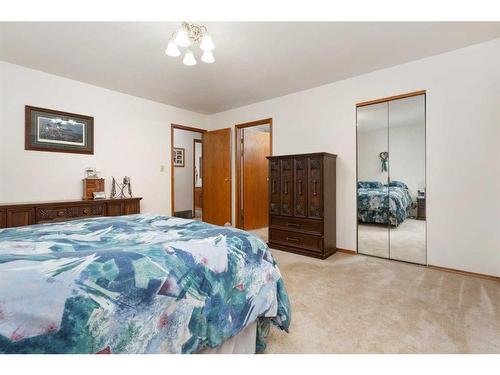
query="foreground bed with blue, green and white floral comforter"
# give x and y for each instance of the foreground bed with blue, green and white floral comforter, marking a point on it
(136, 284)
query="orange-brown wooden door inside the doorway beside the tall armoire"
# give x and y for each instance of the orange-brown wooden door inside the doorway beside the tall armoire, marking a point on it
(255, 190)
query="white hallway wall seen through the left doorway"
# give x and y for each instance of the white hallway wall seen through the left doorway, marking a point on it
(183, 176)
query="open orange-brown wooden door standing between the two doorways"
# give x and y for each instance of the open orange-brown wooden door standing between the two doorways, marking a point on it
(217, 176)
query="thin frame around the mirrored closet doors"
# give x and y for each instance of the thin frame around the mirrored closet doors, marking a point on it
(385, 100)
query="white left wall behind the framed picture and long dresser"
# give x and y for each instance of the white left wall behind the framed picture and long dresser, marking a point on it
(131, 137)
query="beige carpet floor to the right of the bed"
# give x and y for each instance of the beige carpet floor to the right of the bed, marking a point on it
(360, 304)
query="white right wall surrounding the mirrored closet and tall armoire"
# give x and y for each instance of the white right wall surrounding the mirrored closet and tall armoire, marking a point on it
(463, 143)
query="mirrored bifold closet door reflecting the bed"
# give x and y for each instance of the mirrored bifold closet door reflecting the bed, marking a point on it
(391, 209)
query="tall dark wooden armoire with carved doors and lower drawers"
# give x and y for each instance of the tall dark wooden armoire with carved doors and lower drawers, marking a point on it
(302, 204)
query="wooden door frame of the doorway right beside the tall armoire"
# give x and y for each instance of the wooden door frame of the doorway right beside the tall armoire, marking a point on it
(238, 158)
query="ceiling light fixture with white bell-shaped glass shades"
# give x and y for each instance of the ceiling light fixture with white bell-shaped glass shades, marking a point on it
(188, 35)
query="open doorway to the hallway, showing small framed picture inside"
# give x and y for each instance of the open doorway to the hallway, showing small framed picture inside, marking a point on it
(186, 171)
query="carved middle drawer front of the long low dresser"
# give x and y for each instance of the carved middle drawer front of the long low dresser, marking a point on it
(49, 214)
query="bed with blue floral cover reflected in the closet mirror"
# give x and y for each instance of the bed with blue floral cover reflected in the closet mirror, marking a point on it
(383, 204)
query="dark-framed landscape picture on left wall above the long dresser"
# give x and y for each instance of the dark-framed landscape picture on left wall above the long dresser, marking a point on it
(56, 131)
